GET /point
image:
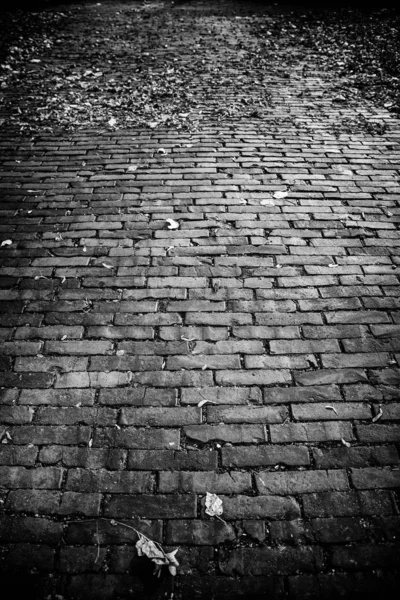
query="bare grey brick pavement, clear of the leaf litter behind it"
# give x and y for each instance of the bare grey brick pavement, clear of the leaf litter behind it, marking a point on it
(279, 310)
